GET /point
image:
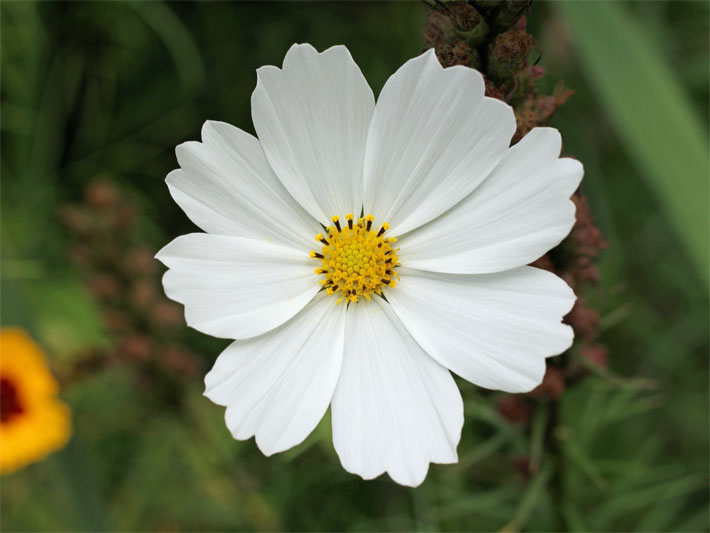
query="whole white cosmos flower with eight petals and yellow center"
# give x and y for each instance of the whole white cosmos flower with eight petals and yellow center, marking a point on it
(433, 159)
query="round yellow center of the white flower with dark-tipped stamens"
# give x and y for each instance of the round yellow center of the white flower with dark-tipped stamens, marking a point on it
(356, 260)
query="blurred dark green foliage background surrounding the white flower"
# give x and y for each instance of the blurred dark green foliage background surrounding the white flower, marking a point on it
(98, 95)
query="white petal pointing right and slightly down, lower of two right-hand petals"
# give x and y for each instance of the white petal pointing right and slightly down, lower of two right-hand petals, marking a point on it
(495, 330)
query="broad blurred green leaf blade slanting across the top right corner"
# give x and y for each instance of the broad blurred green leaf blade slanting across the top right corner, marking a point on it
(651, 113)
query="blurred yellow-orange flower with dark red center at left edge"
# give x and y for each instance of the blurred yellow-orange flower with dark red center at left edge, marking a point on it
(33, 422)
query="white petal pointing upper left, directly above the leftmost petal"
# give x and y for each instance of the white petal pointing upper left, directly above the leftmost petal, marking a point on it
(226, 186)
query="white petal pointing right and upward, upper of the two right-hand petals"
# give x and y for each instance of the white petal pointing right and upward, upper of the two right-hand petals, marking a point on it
(518, 213)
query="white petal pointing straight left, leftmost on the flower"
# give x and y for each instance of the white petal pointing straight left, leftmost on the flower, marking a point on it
(236, 288)
